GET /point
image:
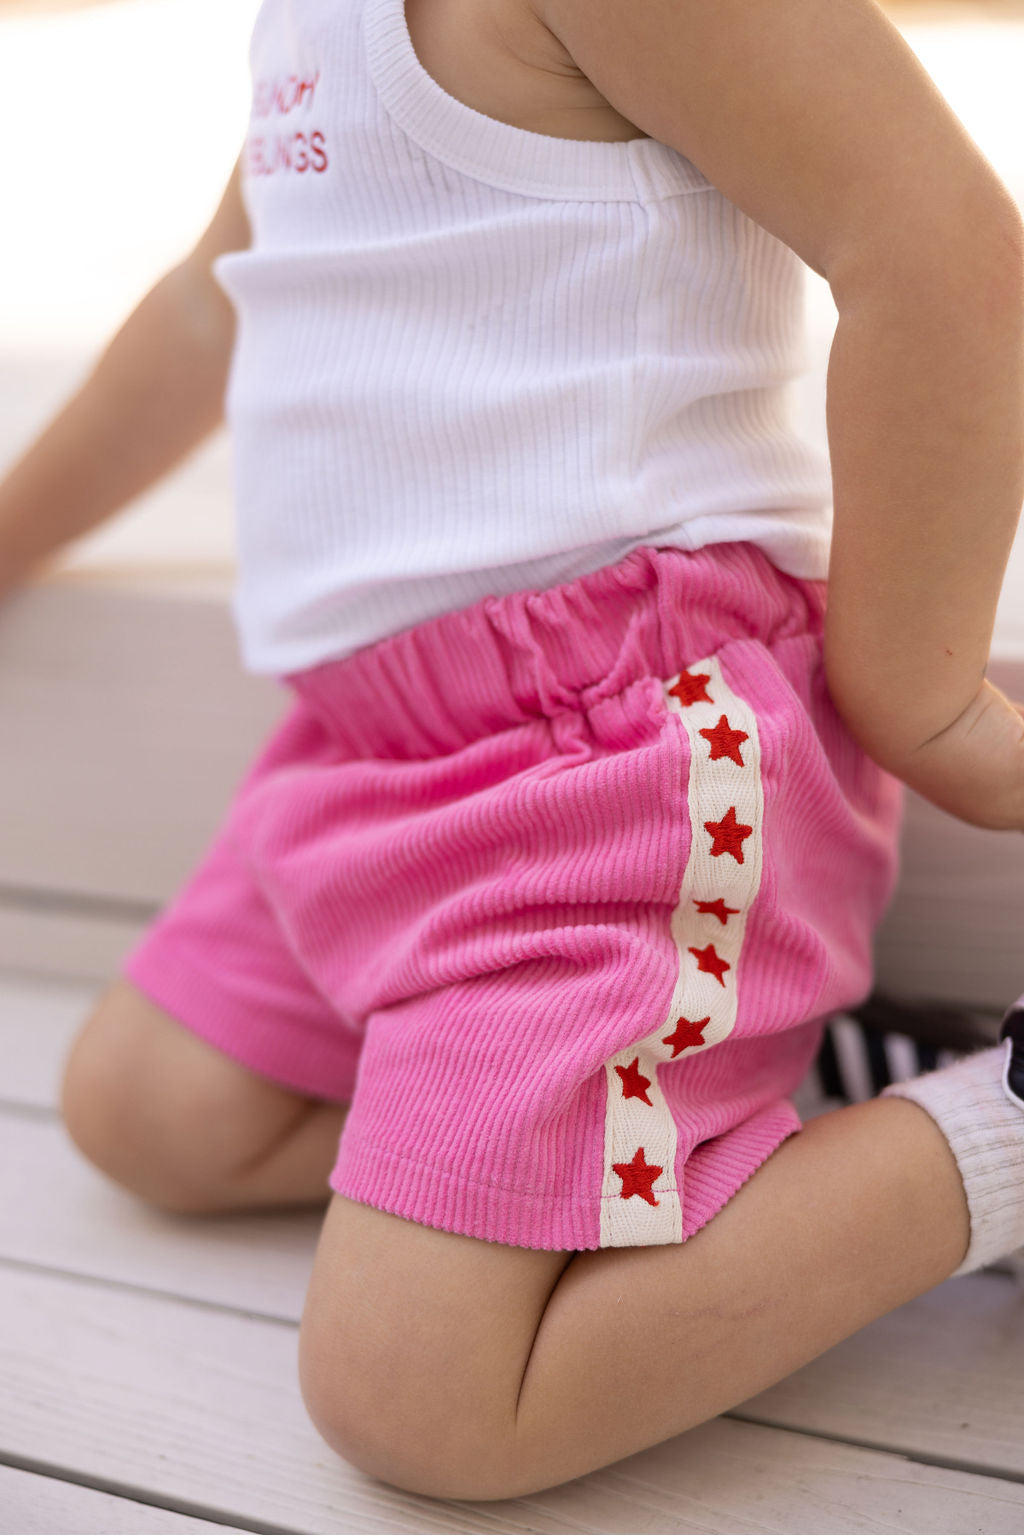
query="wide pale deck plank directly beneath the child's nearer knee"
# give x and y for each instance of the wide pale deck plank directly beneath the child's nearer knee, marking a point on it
(203, 1410)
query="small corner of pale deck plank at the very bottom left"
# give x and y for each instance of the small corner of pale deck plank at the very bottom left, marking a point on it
(45, 1507)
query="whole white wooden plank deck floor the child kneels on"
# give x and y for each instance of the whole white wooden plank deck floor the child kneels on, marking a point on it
(150, 1381)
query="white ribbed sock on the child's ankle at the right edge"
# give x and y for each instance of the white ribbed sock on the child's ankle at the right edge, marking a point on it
(983, 1121)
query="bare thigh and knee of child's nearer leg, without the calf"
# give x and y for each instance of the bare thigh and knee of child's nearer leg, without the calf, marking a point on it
(415, 1344)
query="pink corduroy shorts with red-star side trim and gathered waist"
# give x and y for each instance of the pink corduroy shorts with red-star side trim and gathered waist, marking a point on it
(557, 891)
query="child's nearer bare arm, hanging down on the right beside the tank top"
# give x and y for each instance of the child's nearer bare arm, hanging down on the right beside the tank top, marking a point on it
(819, 122)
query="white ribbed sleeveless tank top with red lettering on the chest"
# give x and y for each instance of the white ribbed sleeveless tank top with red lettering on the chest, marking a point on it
(475, 360)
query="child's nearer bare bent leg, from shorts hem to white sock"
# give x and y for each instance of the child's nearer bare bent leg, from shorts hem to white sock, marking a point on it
(469, 1370)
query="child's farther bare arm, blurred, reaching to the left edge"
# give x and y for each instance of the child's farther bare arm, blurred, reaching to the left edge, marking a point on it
(156, 394)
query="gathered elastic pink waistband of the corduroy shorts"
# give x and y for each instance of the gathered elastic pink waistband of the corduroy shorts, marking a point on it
(506, 661)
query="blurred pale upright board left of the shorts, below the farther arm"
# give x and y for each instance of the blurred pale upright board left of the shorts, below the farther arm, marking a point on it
(134, 727)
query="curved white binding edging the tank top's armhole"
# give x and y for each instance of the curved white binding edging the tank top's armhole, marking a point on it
(517, 159)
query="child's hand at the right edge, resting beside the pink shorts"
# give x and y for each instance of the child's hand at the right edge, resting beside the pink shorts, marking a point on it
(976, 767)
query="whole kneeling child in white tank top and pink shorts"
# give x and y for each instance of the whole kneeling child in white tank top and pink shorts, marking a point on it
(523, 928)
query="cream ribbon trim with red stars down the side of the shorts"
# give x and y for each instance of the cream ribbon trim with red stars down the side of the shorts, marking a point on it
(641, 1206)
